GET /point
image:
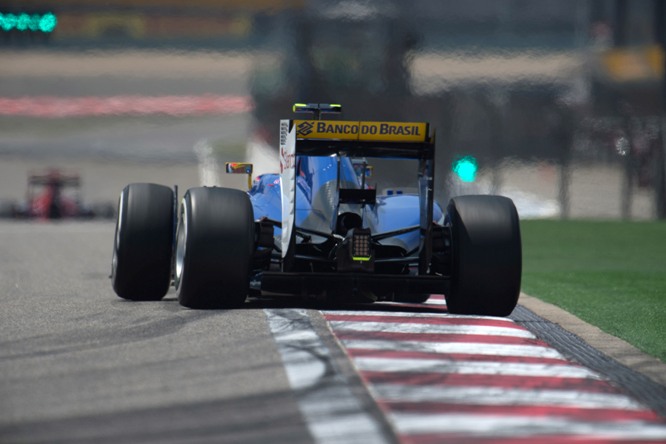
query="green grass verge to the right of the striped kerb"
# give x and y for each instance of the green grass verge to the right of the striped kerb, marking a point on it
(610, 274)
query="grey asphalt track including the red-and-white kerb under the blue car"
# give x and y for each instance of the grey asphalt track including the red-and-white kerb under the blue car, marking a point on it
(78, 364)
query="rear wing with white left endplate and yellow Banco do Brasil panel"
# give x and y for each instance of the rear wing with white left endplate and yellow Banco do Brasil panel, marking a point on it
(402, 140)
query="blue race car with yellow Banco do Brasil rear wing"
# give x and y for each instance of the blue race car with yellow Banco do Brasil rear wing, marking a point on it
(317, 229)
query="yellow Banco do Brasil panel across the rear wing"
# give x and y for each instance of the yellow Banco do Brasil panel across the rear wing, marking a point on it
(362, 131)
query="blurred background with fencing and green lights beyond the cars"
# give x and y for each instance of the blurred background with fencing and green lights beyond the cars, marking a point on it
(559, 104)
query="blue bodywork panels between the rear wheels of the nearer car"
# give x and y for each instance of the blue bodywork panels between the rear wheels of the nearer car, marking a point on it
(318, 208)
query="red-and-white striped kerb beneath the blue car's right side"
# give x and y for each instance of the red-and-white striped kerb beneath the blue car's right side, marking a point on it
(446, 378)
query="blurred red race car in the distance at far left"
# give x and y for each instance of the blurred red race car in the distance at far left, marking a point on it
(54, 194)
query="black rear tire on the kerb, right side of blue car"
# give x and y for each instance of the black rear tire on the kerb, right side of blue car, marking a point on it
(486, 255)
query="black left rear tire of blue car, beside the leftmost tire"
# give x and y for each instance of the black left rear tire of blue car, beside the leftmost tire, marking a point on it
(214, 248)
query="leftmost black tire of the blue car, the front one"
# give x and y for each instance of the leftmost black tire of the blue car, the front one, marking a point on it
(143, 245)
